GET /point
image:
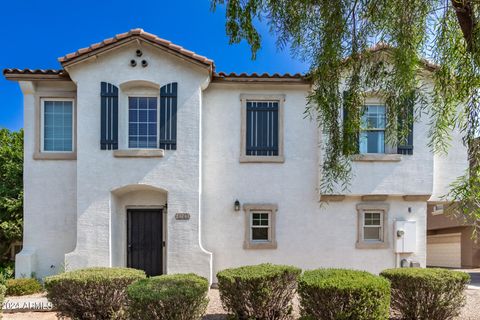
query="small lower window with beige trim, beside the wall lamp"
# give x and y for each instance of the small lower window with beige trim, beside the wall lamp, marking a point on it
(260, 226)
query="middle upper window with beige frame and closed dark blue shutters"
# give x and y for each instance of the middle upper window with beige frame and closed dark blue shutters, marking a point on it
(262, 128)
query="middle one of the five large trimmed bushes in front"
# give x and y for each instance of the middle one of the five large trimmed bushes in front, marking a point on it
(264, 291)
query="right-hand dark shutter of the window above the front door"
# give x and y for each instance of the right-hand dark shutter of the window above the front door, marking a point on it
(168, 117)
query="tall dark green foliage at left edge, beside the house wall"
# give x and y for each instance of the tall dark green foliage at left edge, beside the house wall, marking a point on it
(11, 188)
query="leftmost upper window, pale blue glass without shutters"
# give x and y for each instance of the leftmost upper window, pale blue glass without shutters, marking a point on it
(57, 125)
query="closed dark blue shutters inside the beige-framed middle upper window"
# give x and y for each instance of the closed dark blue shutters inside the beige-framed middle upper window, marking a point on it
(262, 128)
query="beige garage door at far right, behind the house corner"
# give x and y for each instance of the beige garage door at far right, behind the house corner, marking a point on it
(444, 250)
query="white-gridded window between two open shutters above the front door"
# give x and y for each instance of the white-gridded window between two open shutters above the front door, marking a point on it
(142, 122)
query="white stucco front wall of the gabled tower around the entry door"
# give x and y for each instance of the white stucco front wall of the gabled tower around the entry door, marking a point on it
(99, 172)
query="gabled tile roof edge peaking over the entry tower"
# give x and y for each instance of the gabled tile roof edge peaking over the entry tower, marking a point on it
(129, 36)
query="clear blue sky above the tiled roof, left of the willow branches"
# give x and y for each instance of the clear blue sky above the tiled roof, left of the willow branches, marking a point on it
(34, 33)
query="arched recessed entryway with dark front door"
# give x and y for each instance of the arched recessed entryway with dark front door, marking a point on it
(139, 228)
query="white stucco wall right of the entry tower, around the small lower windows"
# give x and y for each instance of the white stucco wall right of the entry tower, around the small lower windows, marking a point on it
(308, 235)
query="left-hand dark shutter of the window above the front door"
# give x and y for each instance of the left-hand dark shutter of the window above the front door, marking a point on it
(109, 117)
